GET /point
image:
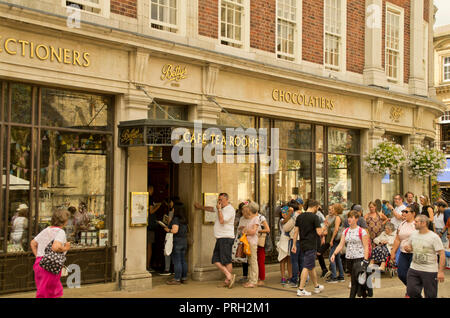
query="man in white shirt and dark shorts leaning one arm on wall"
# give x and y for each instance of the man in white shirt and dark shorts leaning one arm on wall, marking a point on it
(224, 233)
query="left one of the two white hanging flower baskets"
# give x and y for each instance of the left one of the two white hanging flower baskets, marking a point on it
(386, 157)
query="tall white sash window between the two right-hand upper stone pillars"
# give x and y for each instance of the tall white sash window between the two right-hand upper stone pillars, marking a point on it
(394, 30)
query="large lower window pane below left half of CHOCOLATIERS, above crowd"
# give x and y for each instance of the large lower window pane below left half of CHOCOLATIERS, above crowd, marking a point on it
(293, 178)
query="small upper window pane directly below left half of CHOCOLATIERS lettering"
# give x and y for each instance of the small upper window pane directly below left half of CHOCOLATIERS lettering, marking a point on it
(294, 135)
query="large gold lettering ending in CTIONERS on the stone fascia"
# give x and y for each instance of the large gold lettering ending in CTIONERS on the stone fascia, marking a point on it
(43, 52)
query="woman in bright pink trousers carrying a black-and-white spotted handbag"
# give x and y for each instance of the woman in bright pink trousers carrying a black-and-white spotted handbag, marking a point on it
(48, 283)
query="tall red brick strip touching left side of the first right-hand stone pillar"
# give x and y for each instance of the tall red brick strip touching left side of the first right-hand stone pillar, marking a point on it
(355, 35)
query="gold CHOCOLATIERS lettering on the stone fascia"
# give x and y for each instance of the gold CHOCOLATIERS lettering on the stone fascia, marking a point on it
(298, 98)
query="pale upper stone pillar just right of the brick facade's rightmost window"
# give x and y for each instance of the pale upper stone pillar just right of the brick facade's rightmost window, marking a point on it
(417, 85)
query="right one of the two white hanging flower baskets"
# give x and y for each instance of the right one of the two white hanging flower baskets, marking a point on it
(425, 162)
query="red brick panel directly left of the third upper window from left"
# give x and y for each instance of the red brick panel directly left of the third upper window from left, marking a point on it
(208, 18)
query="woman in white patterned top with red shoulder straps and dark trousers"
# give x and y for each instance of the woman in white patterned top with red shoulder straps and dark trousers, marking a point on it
(357, 251)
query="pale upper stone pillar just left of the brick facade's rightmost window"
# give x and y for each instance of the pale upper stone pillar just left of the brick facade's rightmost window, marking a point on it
(374, 73)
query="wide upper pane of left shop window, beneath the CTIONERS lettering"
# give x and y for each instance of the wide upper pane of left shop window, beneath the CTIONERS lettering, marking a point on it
(68, 109)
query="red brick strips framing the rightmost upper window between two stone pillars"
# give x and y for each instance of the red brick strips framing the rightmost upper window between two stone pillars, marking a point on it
(405, 4)
